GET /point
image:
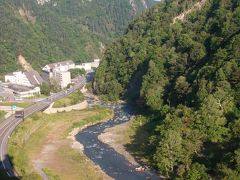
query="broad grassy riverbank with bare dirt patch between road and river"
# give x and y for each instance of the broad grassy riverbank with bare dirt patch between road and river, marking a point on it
(40, 146)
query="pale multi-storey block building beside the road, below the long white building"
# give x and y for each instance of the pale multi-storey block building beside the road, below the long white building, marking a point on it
(63, 79)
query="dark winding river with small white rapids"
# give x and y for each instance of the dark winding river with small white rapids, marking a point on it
(111, 162)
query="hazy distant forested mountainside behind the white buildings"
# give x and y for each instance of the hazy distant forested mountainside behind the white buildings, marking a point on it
(45, 31)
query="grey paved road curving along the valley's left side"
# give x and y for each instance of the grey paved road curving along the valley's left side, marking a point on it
(8, 125)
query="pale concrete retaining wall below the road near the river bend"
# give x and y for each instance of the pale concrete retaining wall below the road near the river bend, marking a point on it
(80, 106)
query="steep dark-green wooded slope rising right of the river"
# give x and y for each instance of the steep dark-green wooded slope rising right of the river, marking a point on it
(181, 61)
